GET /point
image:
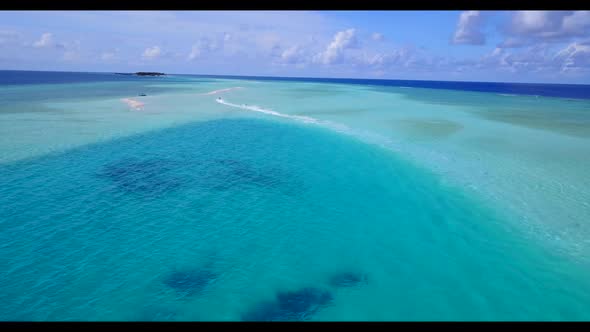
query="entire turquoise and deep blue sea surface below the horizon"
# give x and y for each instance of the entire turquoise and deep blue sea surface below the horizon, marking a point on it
(253, 198)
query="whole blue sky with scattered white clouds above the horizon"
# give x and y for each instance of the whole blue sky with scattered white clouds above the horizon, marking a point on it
(496, 46)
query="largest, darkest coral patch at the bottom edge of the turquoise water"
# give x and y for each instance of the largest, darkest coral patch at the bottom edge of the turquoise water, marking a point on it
(291, 305)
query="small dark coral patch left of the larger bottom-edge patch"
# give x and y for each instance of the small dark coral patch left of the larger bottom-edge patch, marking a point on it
(190, 282)
